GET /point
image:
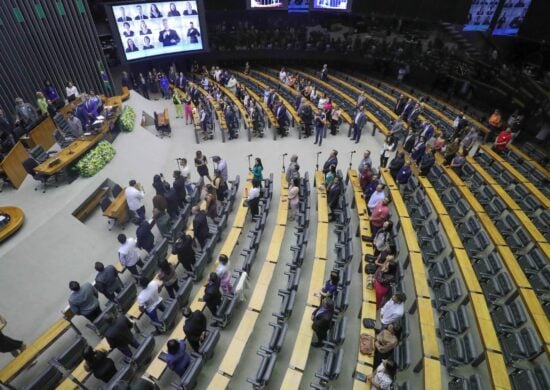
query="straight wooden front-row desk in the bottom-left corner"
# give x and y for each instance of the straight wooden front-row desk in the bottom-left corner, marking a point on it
(19, 363)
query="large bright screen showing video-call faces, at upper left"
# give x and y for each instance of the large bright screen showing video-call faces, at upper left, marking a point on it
(157, 28)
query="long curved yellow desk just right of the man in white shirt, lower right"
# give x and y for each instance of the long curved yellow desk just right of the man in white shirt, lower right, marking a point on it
(430, 351)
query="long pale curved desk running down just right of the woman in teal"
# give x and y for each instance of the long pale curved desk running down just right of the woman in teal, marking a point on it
(238, 343)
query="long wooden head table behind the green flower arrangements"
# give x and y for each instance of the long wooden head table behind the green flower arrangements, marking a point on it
(76, 149)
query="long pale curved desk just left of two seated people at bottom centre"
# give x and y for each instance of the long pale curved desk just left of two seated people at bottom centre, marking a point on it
(300, 352)
